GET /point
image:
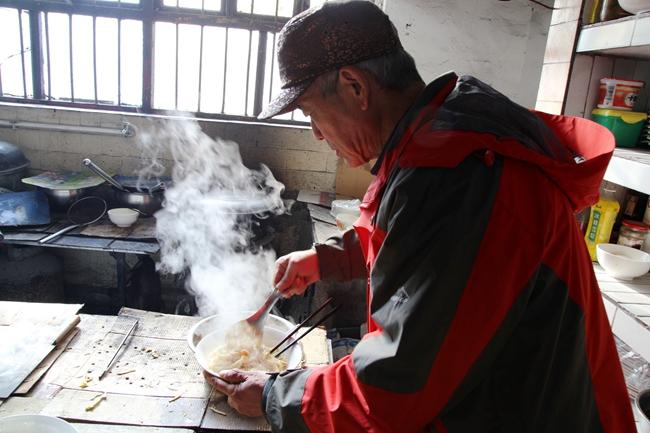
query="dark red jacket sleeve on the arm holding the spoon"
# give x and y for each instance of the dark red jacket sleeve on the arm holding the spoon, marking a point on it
(340, 258)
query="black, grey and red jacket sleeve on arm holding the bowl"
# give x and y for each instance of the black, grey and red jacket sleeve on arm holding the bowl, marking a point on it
(434, 221)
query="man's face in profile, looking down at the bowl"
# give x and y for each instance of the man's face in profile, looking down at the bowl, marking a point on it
(336, 119)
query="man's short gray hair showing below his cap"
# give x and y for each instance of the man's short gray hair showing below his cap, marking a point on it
(394, 71)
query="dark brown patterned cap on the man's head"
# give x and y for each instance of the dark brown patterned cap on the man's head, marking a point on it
(322, 39)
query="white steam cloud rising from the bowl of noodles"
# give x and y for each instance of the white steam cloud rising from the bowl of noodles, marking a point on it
(204, 227)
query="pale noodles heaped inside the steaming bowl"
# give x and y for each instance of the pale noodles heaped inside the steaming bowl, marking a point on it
(244, 350)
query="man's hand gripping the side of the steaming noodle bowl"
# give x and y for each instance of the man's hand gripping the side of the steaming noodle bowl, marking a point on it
(243, 388)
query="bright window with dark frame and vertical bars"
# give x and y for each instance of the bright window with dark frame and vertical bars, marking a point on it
(214, 58)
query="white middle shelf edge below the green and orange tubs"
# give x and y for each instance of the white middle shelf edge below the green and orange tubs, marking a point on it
(630, 168)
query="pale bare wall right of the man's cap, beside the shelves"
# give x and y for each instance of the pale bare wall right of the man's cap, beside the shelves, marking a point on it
(499, 42)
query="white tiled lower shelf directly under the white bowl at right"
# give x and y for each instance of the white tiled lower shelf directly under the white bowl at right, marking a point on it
(628, 307)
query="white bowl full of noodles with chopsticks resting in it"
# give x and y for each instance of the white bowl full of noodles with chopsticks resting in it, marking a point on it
(239, 346)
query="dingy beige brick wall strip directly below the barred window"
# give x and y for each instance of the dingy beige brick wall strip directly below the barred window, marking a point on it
(293, 155)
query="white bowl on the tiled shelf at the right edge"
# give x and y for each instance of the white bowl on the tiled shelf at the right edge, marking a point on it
(622, 262)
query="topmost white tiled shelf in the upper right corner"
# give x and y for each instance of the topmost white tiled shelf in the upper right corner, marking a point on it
(627, 37)
